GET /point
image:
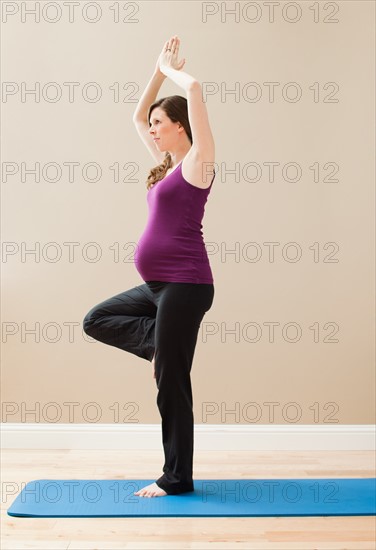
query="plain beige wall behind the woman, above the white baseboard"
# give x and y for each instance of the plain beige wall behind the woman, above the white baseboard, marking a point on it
(327, 293)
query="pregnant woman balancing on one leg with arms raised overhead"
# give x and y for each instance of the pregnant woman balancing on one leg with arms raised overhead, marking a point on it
(160, 319)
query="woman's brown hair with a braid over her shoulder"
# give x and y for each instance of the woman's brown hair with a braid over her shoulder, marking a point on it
(176, 108)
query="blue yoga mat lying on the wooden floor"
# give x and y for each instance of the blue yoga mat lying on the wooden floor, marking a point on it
(211, 497)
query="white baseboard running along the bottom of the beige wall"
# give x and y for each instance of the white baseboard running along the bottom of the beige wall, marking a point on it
(208, 437)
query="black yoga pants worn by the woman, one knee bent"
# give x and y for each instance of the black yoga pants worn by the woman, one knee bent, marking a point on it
(161, 318)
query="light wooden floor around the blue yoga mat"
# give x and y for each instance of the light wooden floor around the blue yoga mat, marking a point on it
(279, 533)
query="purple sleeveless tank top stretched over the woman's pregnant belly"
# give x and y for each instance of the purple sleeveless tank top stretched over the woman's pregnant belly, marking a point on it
(172, 247)
